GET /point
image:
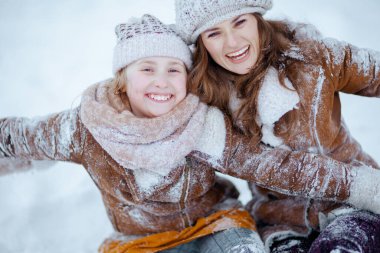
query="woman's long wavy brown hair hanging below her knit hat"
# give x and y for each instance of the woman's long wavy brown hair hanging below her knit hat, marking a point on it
(214, 84)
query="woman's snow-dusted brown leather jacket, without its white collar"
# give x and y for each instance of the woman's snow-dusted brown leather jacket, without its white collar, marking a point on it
(328, 68)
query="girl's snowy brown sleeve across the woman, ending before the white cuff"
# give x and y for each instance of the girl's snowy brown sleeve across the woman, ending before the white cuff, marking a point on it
(288, 172)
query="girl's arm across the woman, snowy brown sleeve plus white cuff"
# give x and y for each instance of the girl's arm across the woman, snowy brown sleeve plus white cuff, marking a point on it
(294, 173)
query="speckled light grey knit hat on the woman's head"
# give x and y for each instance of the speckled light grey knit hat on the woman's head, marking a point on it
(195, 16)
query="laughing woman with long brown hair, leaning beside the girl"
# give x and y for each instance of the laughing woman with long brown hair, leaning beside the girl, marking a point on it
(280, 82)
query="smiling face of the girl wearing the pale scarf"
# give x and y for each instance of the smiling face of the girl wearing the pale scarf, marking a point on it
(155, 85)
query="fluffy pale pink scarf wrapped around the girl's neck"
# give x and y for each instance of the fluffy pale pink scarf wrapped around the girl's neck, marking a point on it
(158, 144)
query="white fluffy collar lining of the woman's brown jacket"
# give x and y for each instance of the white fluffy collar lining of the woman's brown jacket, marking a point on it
(274, 100)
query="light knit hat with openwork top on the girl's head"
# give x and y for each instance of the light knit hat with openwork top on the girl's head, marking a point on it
(147, 37)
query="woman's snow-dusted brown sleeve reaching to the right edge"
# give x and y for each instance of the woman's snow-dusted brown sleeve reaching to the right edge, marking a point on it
(354, 70)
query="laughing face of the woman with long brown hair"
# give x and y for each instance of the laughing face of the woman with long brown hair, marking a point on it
(234, 43)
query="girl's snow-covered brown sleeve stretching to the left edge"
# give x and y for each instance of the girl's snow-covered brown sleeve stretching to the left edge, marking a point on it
(55, 137)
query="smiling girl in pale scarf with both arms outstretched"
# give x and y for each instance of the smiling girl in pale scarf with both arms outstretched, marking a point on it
(153, 151)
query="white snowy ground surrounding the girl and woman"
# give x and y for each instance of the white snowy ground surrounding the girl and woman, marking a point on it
(50, 51)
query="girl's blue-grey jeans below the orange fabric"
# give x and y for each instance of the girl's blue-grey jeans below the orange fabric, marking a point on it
(234, 240)
